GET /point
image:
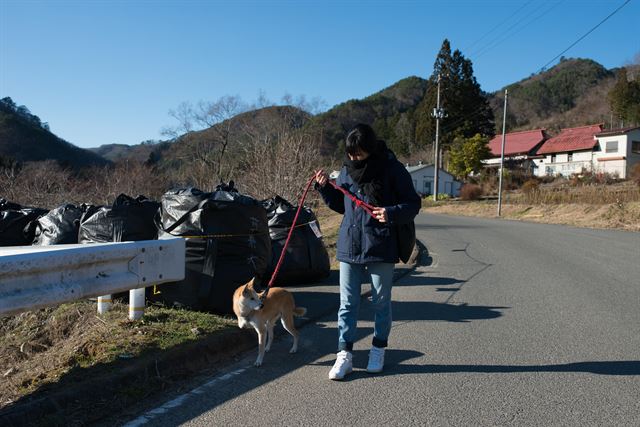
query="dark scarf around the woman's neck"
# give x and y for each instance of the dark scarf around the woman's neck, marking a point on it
(369, 173)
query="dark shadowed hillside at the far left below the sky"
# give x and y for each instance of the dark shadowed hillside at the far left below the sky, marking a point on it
(24, 138)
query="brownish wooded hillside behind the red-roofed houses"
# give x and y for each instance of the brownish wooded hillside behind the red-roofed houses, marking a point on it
(572, 93)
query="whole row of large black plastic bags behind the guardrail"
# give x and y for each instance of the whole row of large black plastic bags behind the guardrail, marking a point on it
(230, 239)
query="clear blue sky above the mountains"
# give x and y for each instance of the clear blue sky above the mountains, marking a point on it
(105, 71)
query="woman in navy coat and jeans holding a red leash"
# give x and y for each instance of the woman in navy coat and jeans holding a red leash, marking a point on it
(367, 245)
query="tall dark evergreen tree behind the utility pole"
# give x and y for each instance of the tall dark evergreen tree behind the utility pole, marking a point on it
(467, 107)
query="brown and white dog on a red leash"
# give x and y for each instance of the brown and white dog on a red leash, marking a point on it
(262, 314)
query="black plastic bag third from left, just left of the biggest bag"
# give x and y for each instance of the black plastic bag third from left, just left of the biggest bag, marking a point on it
(128, 219)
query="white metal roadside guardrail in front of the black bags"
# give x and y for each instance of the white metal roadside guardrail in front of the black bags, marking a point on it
(33, 277)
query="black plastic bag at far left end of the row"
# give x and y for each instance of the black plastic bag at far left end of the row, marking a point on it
(17, 223)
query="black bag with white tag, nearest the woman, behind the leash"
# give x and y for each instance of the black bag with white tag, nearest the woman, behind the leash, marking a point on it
(306, 259)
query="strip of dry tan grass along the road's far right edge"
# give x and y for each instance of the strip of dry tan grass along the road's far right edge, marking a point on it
(624, 216)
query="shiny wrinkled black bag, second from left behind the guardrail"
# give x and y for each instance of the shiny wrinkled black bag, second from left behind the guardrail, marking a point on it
(59, 226)
